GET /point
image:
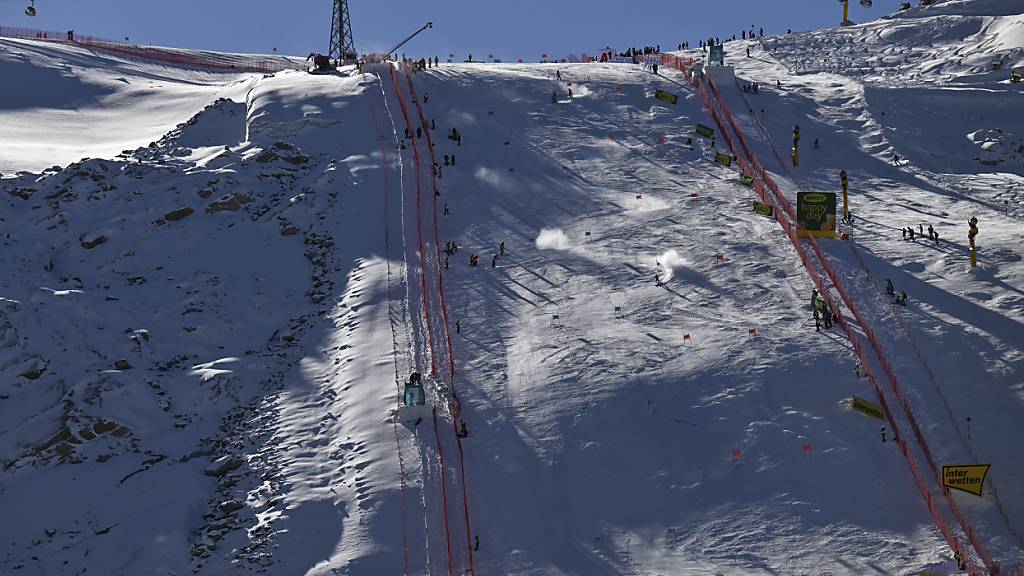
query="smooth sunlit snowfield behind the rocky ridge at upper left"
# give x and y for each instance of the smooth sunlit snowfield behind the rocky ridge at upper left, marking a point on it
(72, 104)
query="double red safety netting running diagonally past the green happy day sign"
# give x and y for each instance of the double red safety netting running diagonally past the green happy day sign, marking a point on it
(922, 485)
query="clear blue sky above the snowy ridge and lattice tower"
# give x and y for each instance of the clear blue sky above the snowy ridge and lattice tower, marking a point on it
(506, 29)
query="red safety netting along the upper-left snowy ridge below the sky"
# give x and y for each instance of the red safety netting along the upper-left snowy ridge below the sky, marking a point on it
(211, 62)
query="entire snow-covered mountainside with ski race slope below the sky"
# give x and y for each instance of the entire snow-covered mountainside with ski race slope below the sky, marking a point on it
(219, 285)
